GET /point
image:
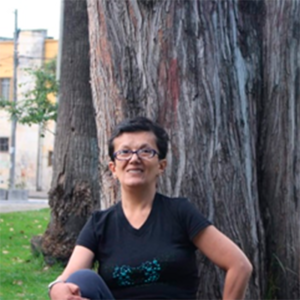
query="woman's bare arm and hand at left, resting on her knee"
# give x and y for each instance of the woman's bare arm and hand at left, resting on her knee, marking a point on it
(81, 258)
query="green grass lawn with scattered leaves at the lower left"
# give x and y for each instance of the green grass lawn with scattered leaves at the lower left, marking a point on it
(23, 275)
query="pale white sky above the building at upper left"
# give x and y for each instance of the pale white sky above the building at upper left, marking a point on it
(32, 14)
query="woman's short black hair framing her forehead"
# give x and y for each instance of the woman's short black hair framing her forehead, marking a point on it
(138, 124)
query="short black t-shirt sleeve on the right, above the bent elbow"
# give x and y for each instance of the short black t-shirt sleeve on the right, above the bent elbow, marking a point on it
(191, 218)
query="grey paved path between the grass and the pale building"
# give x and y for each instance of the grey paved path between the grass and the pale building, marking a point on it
(25, 205)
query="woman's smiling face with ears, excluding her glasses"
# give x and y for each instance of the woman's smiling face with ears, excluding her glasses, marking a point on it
(136, 171)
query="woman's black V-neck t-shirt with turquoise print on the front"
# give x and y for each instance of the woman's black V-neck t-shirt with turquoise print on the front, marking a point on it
(156, 261)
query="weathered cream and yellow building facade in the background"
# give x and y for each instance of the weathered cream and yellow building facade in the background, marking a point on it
(33, 153)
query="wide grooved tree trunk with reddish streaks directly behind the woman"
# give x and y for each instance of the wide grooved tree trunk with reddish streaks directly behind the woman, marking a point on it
(194, 66)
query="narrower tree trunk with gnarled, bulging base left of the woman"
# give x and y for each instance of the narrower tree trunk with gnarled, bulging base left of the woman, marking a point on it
(74, 190)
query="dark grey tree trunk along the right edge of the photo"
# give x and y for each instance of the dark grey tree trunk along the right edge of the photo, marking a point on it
(280, 147)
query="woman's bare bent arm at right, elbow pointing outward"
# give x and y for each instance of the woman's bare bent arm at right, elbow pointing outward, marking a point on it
(228, 256)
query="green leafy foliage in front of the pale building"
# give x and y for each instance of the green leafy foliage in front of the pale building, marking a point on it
(36, 107)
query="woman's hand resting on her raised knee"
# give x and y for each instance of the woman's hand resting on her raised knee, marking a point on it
(65, 291)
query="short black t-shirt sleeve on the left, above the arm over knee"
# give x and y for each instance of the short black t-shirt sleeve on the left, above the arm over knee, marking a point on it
(87, 236)
